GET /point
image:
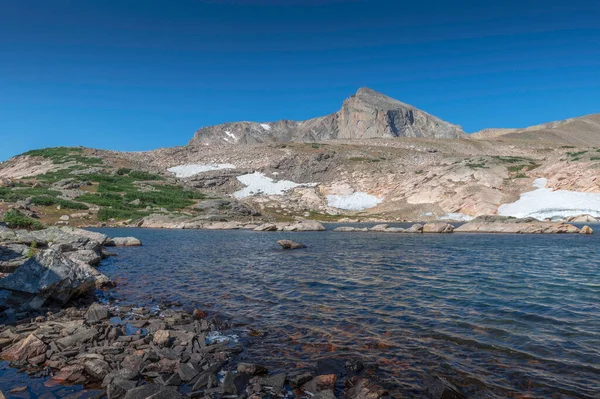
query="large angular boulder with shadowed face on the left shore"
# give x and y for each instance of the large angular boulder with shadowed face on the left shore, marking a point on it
(48, 276)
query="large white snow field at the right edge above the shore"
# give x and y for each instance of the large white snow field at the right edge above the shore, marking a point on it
(544, 203)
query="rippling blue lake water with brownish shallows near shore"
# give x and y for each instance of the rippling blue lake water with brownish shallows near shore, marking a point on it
(507, 315)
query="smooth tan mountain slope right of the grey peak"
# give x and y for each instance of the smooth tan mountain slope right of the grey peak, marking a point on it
(583, 131)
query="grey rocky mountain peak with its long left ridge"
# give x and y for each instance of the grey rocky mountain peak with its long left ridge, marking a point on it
(367, 114)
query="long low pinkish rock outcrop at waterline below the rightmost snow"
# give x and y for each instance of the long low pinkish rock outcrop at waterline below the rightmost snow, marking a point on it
(499, 224)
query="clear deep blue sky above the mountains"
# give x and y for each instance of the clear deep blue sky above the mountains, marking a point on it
(137, 75)
